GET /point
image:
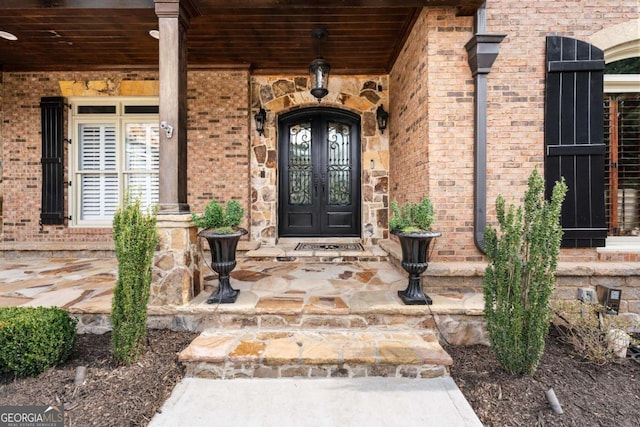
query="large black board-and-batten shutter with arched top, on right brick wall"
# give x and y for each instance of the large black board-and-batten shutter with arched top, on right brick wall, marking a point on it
(574, 137)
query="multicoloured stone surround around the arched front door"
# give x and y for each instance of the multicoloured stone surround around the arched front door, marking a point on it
(280, 94)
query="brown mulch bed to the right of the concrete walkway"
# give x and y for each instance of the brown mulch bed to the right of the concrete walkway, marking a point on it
(590, 395)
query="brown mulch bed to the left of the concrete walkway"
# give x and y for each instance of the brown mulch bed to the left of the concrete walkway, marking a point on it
(111, 395)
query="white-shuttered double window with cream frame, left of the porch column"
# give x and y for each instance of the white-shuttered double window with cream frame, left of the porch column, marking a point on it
(115, 151)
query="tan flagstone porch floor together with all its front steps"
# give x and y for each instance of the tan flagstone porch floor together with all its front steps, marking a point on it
(304, 319)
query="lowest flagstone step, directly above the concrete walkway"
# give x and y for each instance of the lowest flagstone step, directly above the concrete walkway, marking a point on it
(259, 353)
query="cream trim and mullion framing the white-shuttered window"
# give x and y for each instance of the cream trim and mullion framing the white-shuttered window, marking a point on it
(120, 119)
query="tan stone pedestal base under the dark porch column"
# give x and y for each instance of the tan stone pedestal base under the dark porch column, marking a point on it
(176, 273)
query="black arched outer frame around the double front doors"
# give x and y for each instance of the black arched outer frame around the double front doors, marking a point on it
(327, 113)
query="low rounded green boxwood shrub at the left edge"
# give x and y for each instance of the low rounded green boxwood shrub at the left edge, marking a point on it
(34, 339)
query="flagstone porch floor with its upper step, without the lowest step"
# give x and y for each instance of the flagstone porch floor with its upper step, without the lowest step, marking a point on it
(273, 294)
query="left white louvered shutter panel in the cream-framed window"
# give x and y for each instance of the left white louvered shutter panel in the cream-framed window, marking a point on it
(98, 173)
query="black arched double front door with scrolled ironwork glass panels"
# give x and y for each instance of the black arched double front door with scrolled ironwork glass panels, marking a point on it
(319, 173)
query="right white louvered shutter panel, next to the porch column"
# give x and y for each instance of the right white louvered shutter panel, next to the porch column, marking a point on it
(142, 162)
